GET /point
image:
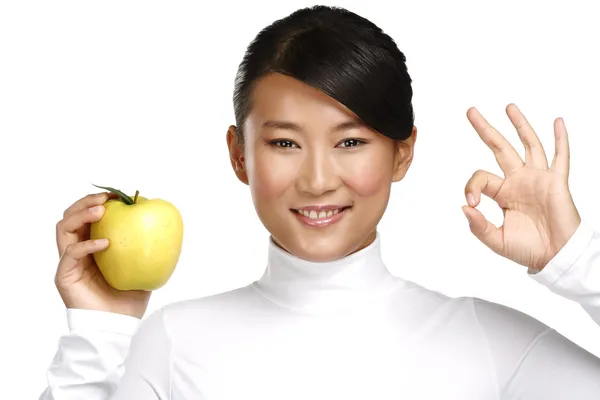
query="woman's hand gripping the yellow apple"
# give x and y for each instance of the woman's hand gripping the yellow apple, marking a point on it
(78, 279)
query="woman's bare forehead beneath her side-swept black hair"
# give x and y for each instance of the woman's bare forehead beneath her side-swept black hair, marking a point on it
(281, 97)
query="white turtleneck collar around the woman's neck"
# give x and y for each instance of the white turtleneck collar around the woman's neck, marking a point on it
(355, 281)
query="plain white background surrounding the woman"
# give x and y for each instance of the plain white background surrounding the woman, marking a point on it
(138, 95)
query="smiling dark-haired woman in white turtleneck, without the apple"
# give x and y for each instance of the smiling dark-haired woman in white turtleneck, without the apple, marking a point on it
(324, 126)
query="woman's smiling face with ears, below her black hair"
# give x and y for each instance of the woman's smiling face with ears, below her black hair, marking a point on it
(320, 181)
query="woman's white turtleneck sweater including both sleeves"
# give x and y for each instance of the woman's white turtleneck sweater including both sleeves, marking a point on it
(340, 330)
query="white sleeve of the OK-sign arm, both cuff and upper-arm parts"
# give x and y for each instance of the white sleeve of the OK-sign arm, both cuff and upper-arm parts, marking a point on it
(534, 361)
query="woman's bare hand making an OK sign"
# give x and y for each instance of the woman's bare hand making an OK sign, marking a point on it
(539, 213)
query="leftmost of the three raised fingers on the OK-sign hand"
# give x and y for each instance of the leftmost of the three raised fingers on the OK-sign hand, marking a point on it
(507, 157)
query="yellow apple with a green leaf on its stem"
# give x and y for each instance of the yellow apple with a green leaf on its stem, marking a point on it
(145, 240)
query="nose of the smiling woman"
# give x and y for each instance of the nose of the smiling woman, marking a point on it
(317, 174)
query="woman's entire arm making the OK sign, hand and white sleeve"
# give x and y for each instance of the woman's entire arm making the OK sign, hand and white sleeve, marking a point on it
(542, 230)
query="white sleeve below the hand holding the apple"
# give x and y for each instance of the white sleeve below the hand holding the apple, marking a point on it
(109, 356)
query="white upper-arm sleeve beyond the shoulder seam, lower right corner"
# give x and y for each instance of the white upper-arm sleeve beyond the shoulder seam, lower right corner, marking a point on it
(532, 361)
